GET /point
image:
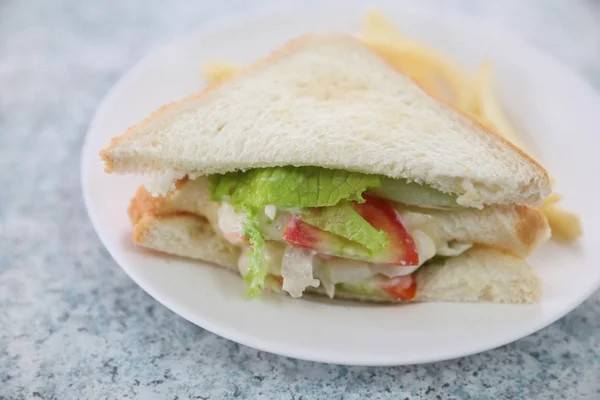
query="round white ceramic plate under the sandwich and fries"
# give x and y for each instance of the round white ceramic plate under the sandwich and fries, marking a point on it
(554, 108)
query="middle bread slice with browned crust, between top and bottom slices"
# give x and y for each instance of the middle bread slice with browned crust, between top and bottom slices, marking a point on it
(514, 229)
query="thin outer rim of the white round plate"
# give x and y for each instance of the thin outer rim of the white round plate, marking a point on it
(300, 353)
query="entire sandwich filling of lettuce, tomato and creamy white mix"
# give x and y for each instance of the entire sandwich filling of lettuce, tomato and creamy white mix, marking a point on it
(311, 226)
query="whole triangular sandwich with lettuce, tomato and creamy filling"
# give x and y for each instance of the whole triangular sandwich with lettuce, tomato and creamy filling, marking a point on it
(322, 169)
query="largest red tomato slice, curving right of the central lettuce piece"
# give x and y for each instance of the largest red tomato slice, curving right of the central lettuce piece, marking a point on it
(383, 216)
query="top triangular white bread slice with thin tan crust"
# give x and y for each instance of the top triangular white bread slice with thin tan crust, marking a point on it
(327, 100)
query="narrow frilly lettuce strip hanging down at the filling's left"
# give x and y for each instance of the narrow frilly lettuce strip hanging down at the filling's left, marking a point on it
(258, 267)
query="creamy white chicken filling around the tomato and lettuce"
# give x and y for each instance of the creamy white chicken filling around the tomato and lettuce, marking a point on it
(301, 268)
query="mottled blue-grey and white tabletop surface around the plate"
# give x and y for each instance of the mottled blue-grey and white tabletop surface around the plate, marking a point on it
(73, 325)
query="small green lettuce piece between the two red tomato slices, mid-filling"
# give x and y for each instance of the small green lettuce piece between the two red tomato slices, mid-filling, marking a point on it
(344, 221)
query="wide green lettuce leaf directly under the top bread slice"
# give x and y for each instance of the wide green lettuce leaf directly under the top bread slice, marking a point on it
(291, 187)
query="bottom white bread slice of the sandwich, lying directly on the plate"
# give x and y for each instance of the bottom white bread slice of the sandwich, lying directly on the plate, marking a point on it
(480, 274)
